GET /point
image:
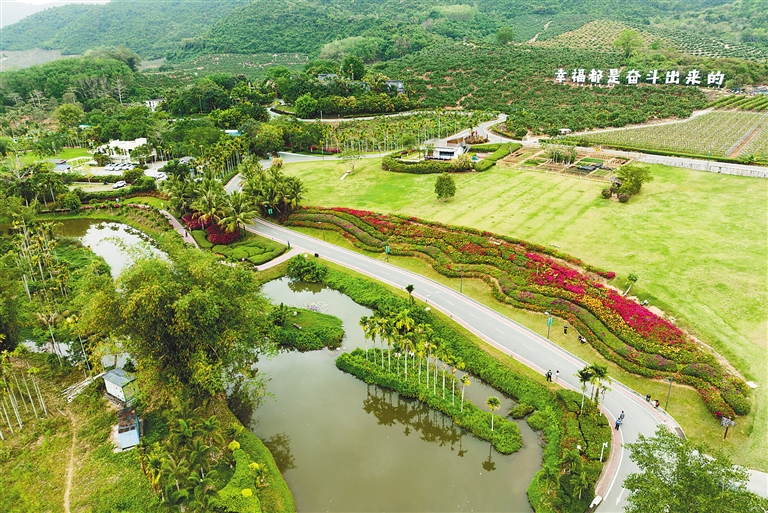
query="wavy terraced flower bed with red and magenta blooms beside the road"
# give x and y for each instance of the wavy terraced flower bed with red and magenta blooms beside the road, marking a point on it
(537, 278)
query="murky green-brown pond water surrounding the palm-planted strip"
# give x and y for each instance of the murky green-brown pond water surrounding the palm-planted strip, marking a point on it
(343, 445)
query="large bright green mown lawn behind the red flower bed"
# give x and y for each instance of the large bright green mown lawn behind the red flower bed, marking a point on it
(701, 257)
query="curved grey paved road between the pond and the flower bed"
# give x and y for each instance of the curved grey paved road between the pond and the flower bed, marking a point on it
(512, 338)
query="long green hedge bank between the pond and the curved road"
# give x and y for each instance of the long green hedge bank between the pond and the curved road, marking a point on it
(563, 431)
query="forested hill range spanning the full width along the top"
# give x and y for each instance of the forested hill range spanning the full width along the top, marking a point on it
(382, 28)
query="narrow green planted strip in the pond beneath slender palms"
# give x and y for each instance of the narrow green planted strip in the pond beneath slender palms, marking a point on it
(505, 436)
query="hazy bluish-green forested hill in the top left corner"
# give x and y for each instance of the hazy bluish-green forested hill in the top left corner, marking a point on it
(149, 28)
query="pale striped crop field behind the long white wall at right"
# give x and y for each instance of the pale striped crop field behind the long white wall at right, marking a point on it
(716, 133)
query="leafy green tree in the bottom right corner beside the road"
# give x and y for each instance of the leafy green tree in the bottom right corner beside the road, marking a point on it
(677, 475)
